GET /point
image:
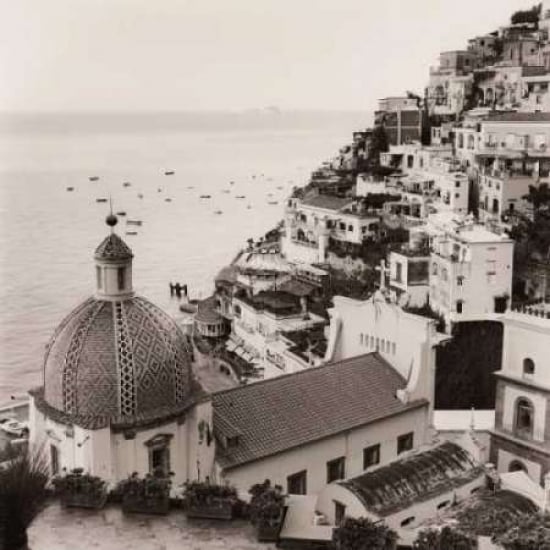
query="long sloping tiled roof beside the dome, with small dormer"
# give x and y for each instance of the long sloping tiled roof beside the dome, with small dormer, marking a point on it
(273, 416)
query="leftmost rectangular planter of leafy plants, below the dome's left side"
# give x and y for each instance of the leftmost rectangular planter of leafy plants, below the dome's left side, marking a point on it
(82, 490)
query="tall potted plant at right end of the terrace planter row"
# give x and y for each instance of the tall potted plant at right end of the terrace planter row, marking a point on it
(267, 510)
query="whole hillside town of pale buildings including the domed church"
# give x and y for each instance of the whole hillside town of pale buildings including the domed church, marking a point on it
(337, 402)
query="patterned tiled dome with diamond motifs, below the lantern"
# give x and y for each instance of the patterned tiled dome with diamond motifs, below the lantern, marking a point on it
(117, 359)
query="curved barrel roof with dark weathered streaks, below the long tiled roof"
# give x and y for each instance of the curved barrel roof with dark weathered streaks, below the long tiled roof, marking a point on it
(415, 478)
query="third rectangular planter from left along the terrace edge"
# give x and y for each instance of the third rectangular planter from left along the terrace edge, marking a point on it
(203, 499)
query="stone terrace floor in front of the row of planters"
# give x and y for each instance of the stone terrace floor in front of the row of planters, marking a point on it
(109, 529)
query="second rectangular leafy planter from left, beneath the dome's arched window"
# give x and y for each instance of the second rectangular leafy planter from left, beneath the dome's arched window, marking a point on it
(148, 495)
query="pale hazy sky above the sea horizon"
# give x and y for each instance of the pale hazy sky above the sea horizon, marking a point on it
(180, 55)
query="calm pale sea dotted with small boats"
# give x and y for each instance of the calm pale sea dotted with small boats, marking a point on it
(48, 235)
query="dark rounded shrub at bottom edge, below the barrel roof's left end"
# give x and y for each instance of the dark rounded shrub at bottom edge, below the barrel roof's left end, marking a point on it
(363, 534)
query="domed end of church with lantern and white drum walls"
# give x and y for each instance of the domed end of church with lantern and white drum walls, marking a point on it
(118, 393)
